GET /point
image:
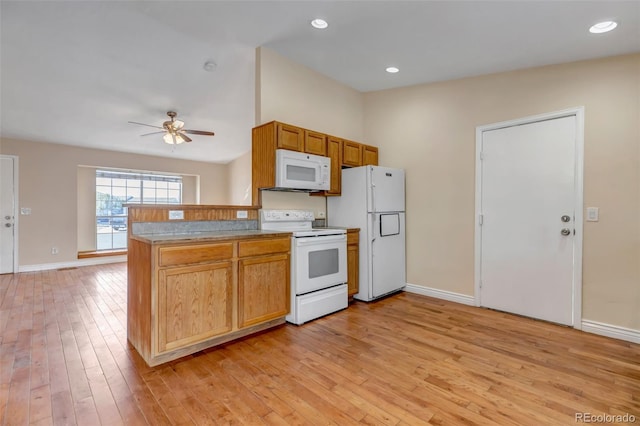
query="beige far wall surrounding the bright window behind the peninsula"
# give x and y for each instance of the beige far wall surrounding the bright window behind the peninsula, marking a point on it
(48, 184)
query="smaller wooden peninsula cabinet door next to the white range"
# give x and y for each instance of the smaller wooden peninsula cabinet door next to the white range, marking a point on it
(263, 289)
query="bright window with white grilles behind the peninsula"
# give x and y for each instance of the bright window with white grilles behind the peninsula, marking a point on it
(115, 188)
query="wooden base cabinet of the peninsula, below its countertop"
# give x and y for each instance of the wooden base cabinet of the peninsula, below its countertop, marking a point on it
(180, 304)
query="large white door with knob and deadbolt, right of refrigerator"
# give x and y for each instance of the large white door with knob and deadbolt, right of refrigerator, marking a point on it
(528, 183)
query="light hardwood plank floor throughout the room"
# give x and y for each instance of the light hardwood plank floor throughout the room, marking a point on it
(404, 360)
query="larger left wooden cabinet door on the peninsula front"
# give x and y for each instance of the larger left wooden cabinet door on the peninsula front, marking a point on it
(194, 304)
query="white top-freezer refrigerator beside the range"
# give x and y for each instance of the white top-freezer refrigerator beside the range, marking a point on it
(373, 200)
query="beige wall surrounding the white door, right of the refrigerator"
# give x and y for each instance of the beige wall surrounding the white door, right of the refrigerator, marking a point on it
(429, 130)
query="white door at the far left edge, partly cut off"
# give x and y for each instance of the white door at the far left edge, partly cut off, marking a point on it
(7, 212)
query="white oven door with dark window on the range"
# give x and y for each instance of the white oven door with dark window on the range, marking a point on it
(319, 262)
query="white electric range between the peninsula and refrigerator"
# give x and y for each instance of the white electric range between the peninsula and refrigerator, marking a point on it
(318, 264)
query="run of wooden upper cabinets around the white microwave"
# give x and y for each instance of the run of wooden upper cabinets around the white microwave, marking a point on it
(275, 135)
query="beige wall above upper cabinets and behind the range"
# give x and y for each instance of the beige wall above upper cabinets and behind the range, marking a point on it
(294, 94)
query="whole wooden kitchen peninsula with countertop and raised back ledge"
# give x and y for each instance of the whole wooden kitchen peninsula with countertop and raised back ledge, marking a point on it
(199, 276)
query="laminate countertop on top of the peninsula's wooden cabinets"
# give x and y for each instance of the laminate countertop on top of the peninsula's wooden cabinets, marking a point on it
(209, 236)
